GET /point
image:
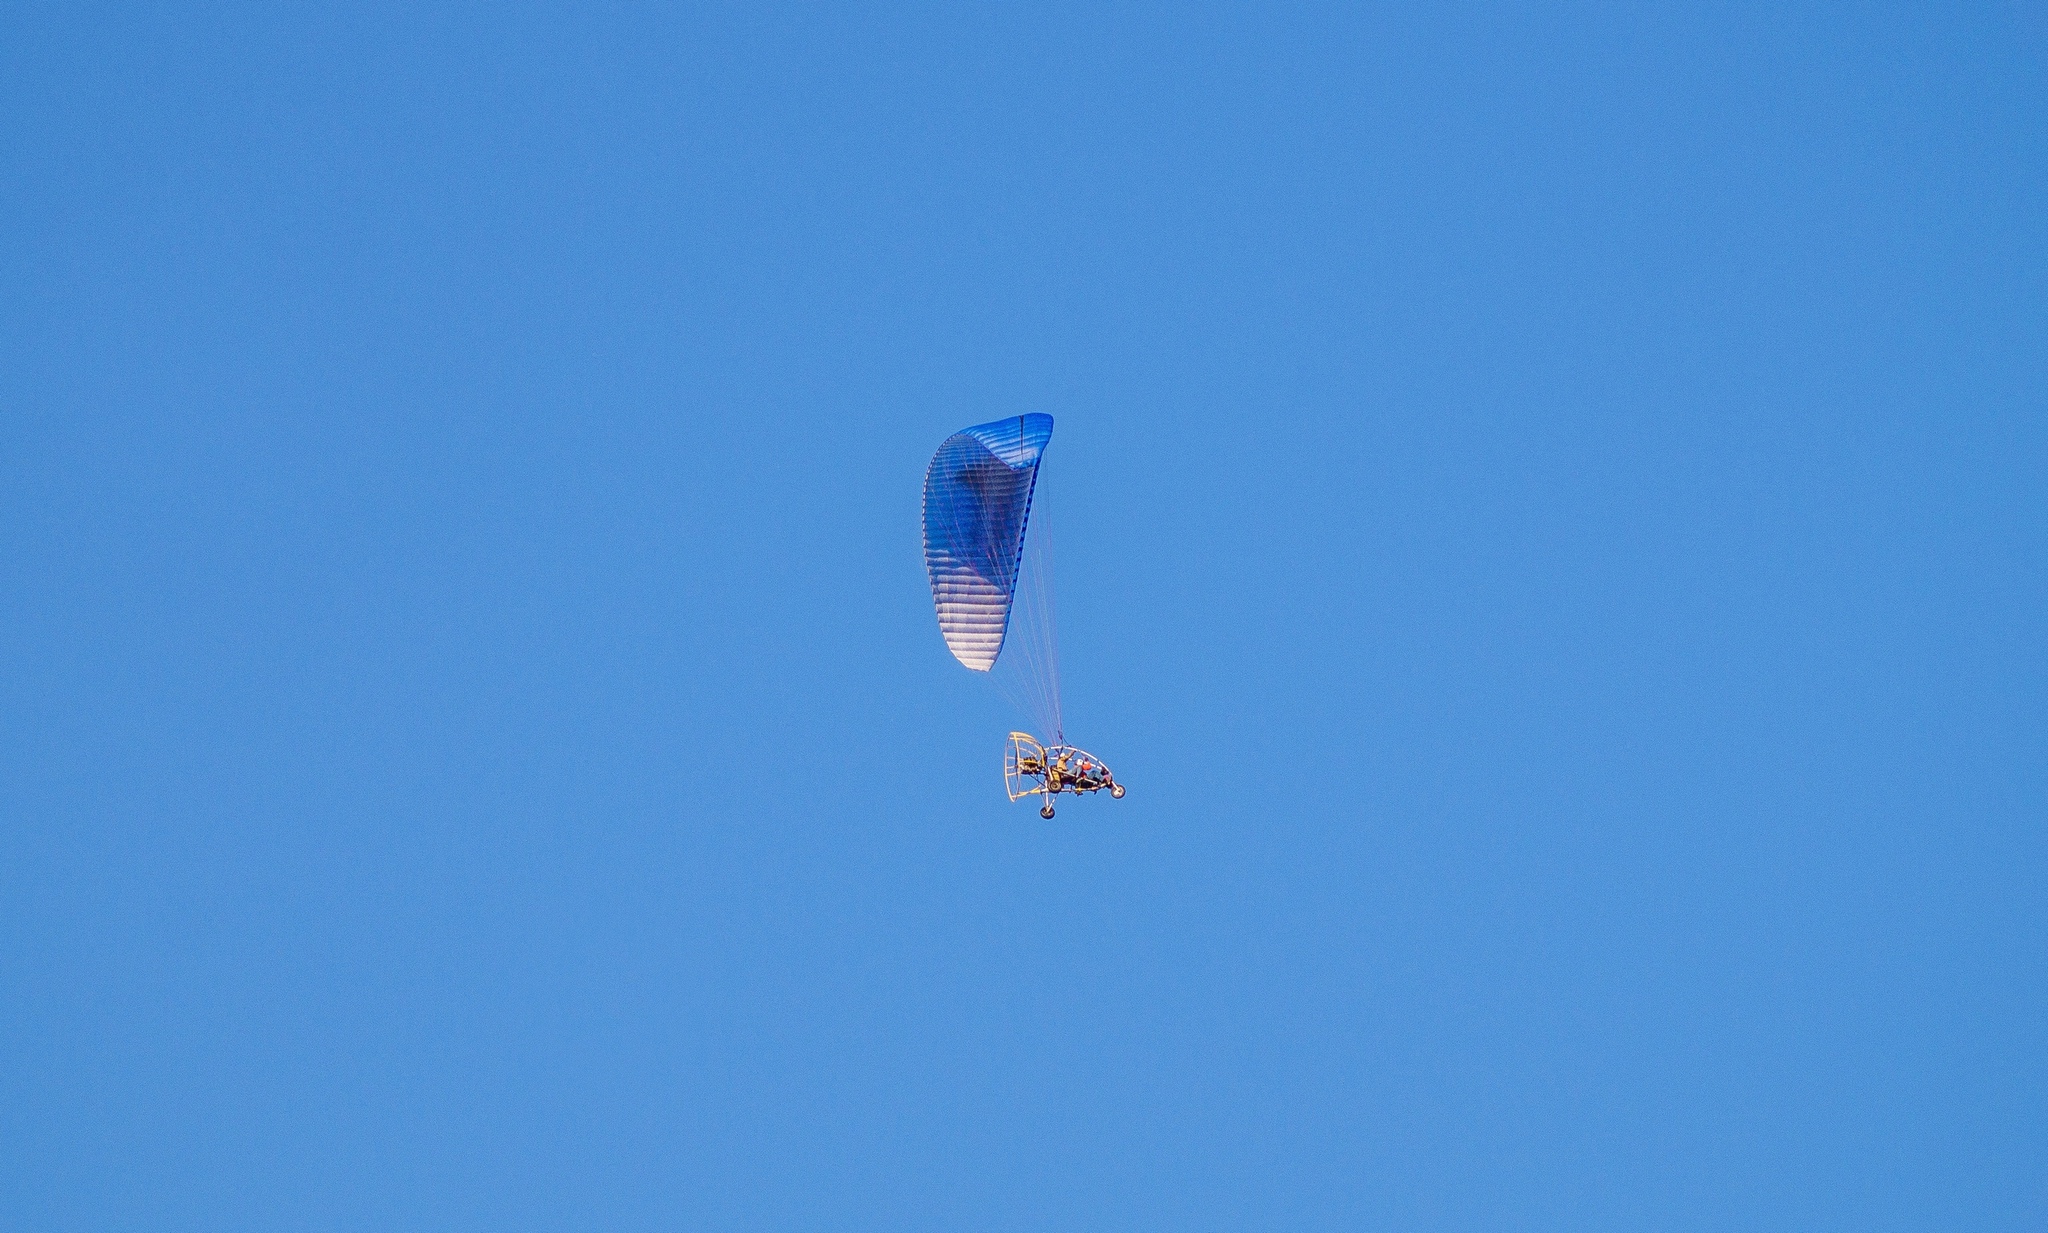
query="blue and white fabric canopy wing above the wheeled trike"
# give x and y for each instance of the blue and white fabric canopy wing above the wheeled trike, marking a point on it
(976, 505)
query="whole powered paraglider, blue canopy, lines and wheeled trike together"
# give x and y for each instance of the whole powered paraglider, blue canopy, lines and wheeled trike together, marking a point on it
(976, 517)
